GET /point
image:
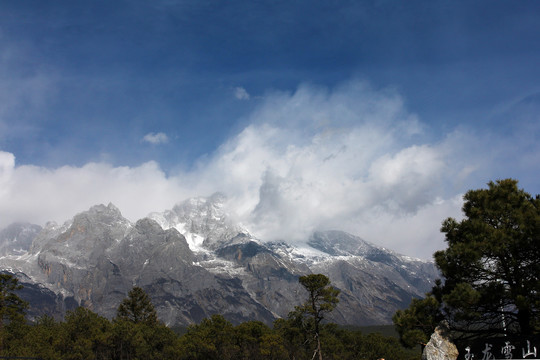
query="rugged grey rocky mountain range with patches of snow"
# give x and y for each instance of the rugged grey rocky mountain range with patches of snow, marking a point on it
(195, 261)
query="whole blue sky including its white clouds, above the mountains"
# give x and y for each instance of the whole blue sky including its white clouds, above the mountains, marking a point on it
(370, 116)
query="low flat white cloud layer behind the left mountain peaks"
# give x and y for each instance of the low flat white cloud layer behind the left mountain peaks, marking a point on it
(39, 195)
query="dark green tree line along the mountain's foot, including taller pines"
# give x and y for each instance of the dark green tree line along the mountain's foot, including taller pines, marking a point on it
(136, 333)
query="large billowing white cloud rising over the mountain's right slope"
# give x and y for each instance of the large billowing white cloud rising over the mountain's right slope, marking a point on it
(345, 159)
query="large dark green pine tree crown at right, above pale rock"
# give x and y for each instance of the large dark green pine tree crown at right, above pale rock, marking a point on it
(491, 269)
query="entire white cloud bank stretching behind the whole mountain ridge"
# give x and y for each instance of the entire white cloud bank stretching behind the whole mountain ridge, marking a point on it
(350, 158)
